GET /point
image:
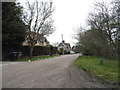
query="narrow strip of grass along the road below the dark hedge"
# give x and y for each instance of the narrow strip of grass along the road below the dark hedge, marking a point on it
(35, 58)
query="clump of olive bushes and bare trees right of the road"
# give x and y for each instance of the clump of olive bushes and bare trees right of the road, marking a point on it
(101, 36)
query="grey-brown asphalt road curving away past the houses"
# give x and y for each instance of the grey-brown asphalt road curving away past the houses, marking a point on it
(58, 72)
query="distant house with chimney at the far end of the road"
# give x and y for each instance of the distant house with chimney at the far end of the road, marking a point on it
(64, 47)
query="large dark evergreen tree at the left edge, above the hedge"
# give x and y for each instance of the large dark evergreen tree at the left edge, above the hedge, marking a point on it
(13, 28)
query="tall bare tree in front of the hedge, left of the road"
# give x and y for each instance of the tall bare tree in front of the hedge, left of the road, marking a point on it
(37, 16)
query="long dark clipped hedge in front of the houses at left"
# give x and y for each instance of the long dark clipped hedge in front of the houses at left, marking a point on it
(37, 51)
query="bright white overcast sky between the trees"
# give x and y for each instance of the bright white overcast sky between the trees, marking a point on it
(68, 14)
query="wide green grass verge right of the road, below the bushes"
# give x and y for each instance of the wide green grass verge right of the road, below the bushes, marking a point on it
(108, 71)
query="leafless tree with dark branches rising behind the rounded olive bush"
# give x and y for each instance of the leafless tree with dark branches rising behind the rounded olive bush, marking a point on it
(104, 21)
